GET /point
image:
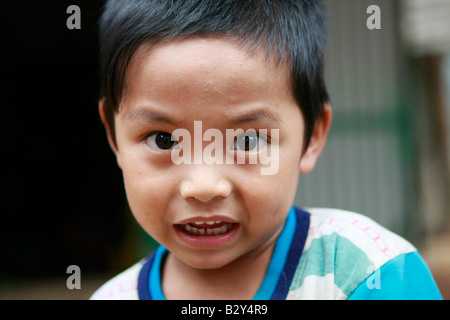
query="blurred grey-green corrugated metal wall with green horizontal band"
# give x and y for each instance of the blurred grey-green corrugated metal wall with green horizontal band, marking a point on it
(366, 163)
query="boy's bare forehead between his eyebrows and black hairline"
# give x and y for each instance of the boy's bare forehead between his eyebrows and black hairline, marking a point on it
(195, 67)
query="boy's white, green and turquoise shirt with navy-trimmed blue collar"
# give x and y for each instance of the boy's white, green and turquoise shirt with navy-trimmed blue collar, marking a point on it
(320, 254)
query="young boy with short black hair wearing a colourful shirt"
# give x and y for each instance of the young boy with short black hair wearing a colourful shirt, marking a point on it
(177, 73)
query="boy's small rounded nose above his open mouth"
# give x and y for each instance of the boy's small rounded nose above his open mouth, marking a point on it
(205, 183)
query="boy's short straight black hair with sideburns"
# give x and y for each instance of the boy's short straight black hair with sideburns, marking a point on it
(291, 31)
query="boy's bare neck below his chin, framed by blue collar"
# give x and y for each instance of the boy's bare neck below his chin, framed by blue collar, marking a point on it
(239, 279)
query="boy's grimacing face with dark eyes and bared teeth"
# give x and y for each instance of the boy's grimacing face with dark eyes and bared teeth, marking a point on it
(217, 82)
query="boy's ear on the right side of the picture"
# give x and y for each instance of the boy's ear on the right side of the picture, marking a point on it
(317, 141)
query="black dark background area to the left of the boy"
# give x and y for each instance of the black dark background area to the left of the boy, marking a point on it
(62, 199)
